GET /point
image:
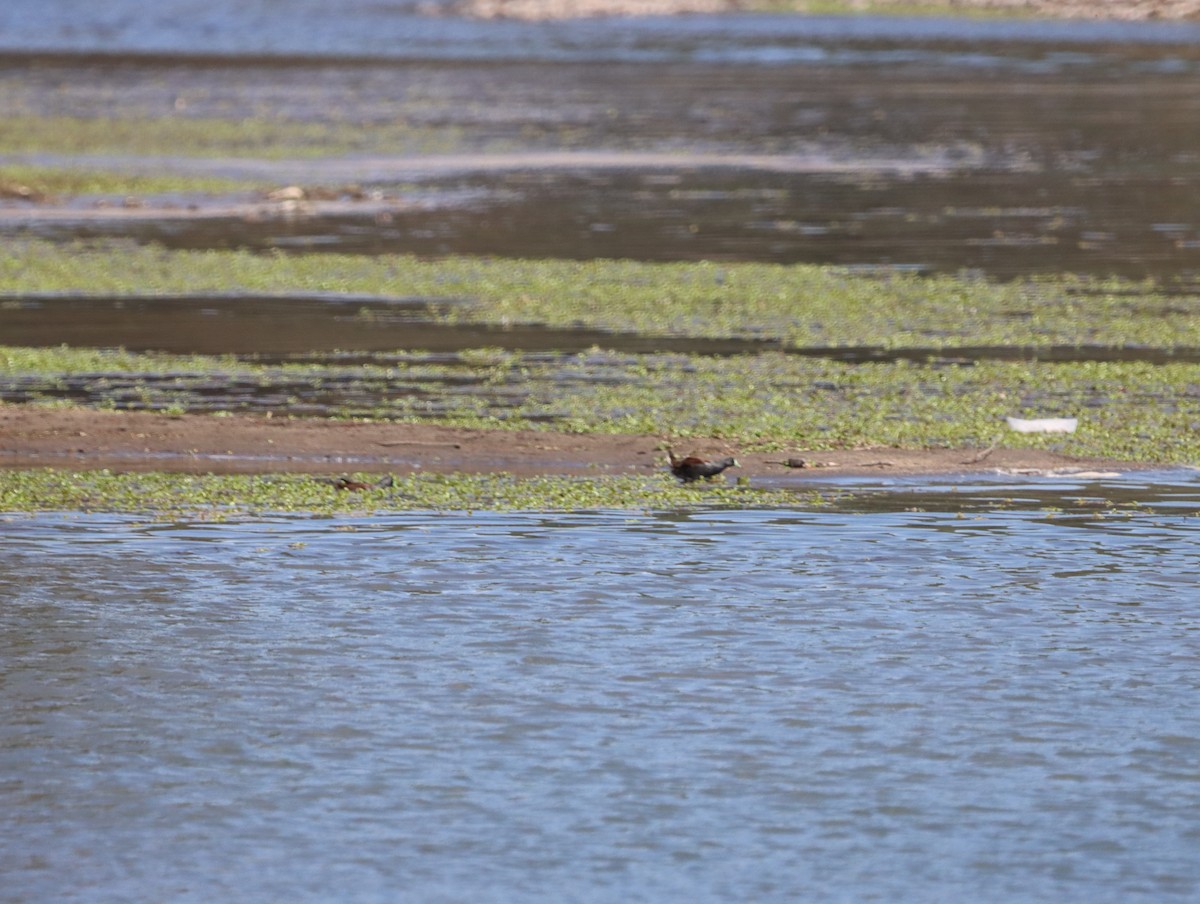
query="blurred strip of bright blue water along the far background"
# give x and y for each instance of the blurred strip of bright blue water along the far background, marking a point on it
(399, 31)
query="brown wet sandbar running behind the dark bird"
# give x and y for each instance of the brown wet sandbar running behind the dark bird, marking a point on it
(130, 441)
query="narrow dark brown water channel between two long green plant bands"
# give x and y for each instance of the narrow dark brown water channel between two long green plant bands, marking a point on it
(333, 328)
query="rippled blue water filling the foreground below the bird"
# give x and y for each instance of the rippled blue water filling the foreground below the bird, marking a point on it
(985, 699)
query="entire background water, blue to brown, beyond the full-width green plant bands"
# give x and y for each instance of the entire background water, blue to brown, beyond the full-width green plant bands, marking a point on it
(938, 146)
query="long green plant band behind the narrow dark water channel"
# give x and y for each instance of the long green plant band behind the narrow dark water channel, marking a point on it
(794, 306)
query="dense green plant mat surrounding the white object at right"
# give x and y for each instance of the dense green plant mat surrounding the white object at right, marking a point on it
(1127, 411)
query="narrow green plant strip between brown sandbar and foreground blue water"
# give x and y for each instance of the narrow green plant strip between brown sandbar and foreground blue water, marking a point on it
(224, 496)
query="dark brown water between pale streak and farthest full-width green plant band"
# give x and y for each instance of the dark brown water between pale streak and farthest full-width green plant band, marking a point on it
(1131, 226)
